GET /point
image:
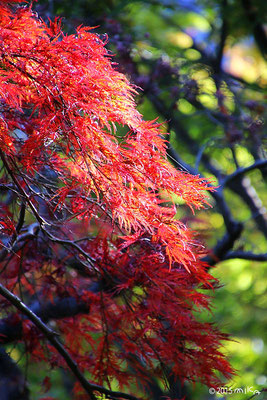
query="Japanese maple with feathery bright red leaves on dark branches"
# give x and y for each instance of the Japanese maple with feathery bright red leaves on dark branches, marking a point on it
(97, 274)
